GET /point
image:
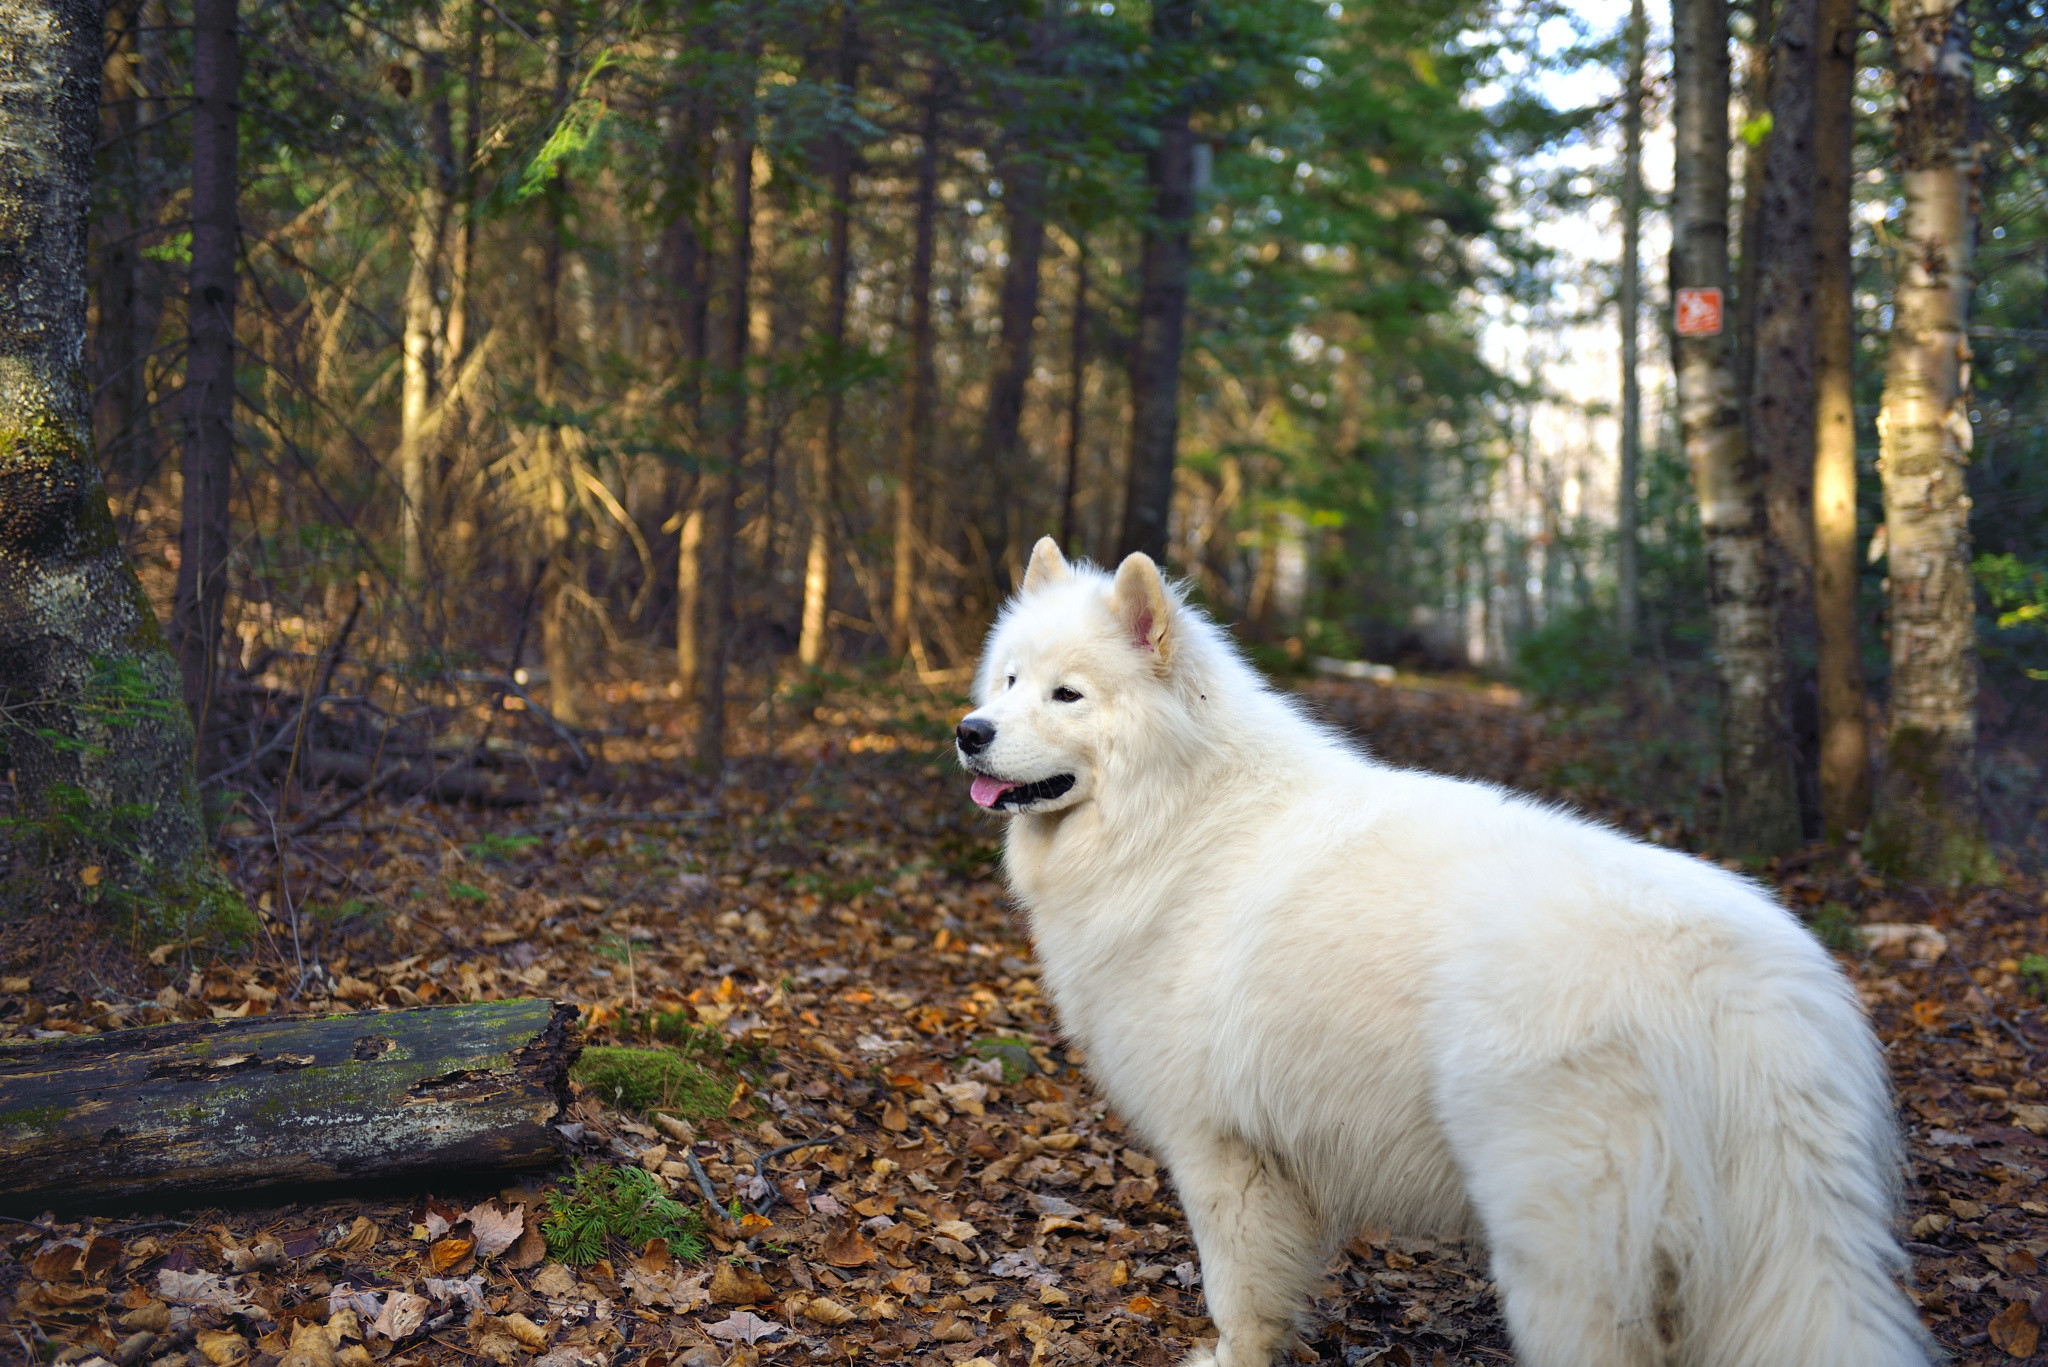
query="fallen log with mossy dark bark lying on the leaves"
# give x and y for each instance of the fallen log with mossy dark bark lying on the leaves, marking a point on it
(220, 1108)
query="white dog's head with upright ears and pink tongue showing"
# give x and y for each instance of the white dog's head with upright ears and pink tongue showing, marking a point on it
(1068, 665)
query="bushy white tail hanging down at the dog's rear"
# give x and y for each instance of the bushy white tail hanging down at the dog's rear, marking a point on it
(1799, 1253)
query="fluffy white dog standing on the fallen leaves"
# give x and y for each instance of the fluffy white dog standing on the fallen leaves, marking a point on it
(1332, 993)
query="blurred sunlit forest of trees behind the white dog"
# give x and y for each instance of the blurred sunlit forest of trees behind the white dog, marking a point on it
(697, 349)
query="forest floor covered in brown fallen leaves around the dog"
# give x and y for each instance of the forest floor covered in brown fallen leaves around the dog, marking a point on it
(835, 948)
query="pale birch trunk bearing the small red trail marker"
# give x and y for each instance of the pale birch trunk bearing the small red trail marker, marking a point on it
(1760, 811)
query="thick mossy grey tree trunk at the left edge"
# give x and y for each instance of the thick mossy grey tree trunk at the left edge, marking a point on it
(93, 729)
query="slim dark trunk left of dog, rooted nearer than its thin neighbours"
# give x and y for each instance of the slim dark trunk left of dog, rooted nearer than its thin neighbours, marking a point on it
(730, 425)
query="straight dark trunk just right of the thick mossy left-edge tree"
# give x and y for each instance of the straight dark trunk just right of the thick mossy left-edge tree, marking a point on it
(210, 360)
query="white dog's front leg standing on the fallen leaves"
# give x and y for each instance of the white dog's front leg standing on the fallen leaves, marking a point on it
(1261, 1249)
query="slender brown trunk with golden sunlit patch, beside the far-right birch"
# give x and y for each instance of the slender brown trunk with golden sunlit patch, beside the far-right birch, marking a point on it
(1840, 663)
